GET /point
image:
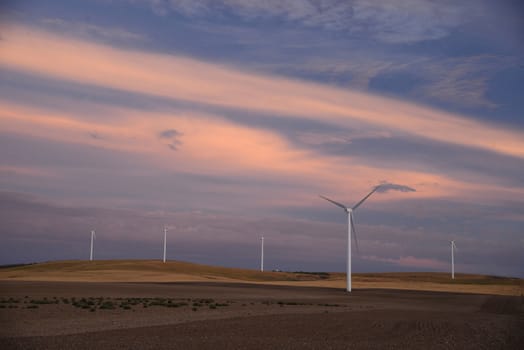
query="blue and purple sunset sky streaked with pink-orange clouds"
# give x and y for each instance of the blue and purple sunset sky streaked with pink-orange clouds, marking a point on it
(226, 119)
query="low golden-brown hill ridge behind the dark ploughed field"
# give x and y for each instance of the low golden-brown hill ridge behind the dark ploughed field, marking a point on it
(178, 271)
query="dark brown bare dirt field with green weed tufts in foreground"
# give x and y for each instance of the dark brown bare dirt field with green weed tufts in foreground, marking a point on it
(213, 315)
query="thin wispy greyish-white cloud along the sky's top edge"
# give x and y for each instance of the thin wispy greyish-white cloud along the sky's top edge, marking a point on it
(404, 21)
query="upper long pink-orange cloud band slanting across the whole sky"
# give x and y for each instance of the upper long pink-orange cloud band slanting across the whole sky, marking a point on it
(205, 83)
